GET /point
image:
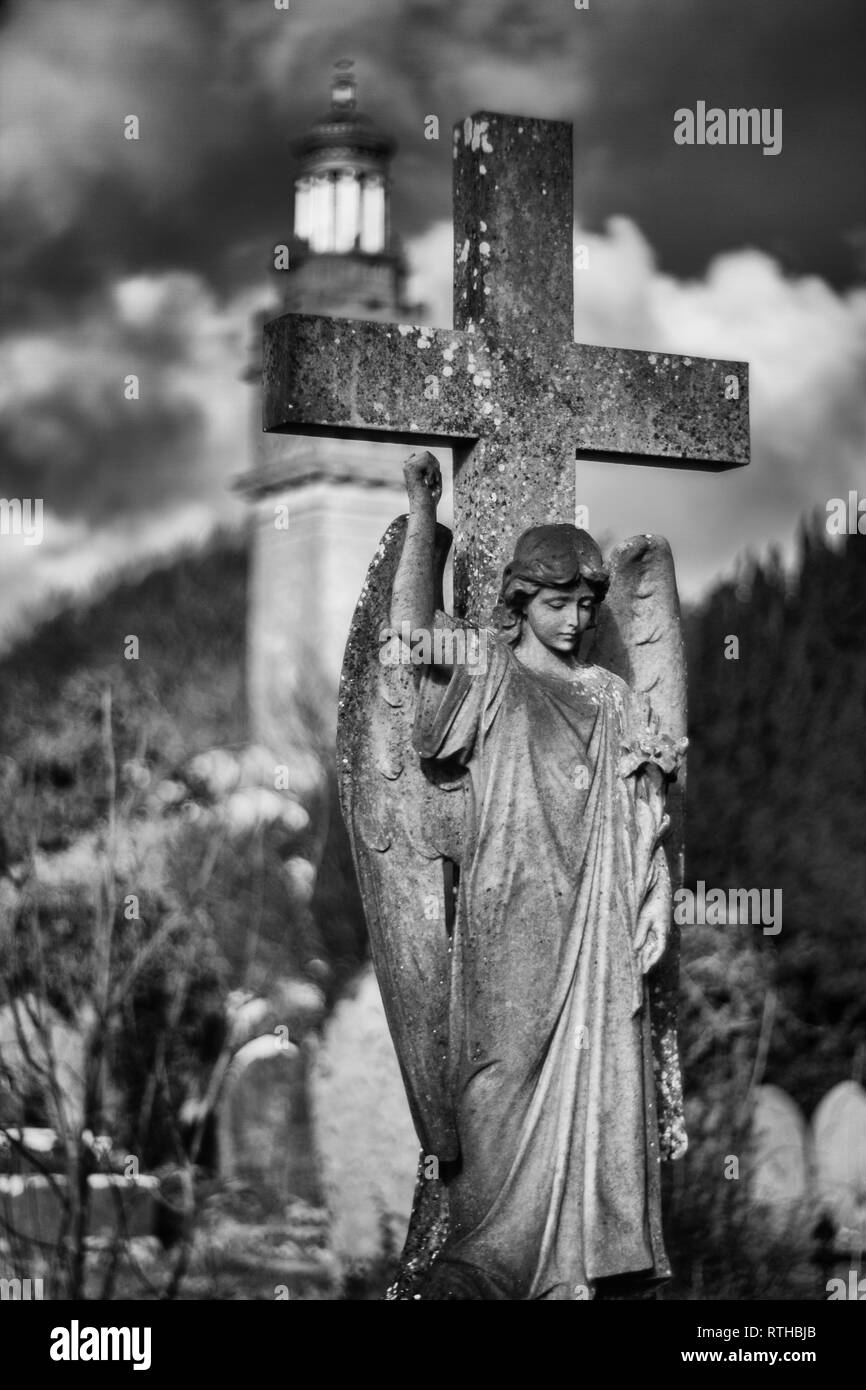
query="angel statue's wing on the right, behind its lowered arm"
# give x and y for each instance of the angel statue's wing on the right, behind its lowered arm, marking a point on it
(640, 639)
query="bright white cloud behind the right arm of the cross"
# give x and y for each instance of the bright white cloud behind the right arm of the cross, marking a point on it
(807, 351)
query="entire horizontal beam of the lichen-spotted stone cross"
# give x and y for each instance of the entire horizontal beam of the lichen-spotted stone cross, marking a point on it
(401, 383)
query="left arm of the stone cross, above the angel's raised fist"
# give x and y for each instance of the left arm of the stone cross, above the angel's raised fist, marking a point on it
(347, 377)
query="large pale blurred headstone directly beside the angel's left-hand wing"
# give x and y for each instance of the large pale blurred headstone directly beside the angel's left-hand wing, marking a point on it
(363, 1131)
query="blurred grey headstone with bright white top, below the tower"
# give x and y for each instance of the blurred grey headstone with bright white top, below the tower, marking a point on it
(263, 1122)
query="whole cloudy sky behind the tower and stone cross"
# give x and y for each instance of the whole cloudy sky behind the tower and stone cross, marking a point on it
(149, 256)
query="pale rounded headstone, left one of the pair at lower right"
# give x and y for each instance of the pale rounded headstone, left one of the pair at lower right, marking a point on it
(779, 1170)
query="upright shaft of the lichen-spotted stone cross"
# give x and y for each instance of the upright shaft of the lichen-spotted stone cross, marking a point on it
(515, 288)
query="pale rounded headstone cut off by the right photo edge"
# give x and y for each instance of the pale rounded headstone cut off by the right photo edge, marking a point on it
(839, 1129)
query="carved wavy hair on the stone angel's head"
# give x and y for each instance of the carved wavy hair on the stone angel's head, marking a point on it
(547, 557)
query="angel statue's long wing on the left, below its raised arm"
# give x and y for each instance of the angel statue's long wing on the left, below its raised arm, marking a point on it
(405, 822)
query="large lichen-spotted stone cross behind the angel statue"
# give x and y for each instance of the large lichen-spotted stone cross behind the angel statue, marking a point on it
(508, 389)
